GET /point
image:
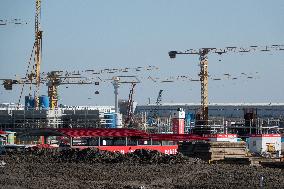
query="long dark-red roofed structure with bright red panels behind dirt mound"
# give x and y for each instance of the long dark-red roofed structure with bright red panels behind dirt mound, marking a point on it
(132, 139)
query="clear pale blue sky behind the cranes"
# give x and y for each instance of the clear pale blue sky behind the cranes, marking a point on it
(92, 34)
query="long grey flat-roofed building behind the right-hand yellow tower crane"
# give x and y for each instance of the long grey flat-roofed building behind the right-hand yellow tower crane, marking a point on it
(239, 118)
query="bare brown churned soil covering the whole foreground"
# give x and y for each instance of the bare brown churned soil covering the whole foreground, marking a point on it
(142, 169)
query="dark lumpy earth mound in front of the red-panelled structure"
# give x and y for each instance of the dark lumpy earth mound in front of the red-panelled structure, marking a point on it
(92, 155)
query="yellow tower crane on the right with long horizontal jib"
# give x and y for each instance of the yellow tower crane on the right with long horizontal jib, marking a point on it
(203, 62)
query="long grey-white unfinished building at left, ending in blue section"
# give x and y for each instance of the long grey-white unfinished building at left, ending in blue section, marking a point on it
(64, 117)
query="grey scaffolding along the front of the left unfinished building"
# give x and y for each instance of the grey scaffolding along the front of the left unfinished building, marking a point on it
(58, 118)
